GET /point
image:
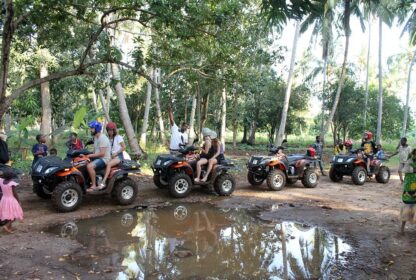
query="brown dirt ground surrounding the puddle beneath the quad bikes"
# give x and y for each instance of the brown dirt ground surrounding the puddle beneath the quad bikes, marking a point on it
(365, 216)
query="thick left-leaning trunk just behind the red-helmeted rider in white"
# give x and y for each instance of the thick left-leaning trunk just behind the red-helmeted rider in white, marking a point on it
(124, 113)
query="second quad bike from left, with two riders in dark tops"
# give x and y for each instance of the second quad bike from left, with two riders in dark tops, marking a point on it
(176, 173)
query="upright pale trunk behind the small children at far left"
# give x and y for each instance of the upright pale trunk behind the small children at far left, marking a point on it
(46, 124)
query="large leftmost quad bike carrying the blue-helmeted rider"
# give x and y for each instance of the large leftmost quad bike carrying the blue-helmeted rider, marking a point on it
(66, 181)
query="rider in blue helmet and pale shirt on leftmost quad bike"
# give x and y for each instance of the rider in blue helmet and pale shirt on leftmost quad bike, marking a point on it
(102, 152)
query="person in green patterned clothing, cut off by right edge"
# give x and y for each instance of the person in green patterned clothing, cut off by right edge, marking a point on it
(408, 211)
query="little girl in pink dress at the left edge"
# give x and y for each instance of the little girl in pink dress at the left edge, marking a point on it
(10, 208)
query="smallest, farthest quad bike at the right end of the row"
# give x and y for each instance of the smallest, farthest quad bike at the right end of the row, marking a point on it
(354, 165)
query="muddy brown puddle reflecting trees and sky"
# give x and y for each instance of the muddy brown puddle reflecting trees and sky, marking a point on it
(196, 241)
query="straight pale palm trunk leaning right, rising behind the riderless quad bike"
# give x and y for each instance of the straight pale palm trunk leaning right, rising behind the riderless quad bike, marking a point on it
(281, 132)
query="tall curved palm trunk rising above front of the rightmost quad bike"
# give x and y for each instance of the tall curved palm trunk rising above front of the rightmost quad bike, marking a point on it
(346, 24)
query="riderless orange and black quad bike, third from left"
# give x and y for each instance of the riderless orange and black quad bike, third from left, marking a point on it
(278, 169)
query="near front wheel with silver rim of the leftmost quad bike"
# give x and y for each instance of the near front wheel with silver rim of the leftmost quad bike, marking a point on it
(67, 196)
